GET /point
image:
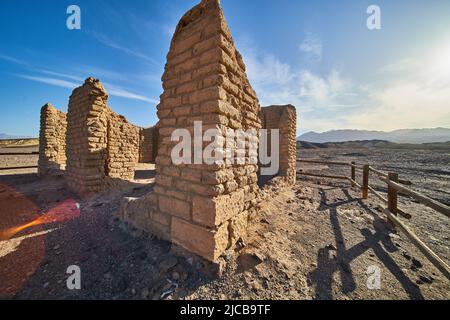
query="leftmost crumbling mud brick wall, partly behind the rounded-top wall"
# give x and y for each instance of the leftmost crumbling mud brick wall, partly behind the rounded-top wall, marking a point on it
(52, 141)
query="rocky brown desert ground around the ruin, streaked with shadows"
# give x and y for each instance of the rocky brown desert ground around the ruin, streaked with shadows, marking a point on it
(315, 240)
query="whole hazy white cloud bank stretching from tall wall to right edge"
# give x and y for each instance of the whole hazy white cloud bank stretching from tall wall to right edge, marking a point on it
(411, 93)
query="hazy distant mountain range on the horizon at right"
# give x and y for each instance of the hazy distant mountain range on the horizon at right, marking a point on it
(397, 136)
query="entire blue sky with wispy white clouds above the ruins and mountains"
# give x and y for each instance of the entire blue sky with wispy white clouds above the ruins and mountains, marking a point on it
(317, 55)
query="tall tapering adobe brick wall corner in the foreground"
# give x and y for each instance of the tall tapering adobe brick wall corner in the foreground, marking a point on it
(204, 208)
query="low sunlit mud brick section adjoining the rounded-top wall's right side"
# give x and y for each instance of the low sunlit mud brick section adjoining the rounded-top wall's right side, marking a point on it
(123, 147)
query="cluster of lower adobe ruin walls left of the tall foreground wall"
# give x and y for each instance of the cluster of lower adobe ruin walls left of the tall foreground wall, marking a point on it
(91, 142)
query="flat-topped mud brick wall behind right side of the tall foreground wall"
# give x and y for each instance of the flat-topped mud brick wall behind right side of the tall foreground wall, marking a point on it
(283, 118)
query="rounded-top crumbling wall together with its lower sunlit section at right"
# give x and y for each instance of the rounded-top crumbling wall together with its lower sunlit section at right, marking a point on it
(100, 143)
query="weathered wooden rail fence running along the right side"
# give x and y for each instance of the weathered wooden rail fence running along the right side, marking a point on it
(394, 187)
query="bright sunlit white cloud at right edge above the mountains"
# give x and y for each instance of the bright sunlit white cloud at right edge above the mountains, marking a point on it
(415, 93)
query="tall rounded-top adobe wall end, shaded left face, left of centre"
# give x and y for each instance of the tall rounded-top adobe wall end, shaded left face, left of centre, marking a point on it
(87, 138)
